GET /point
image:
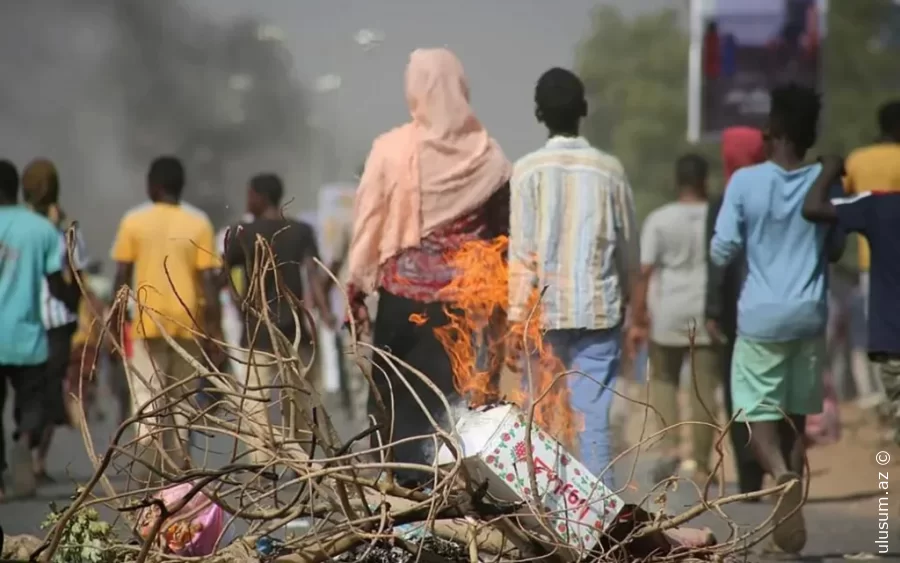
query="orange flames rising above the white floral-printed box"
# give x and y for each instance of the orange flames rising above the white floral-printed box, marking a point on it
(479, 297)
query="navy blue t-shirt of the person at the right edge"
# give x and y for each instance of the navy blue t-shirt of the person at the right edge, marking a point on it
(876, 216)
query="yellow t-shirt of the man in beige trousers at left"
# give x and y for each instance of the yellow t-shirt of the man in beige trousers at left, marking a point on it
(170, 246)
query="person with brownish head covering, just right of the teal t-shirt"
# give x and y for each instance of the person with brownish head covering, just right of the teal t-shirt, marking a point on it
(40, 186)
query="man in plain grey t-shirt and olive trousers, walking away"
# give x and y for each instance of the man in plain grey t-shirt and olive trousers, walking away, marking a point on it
(673, 252)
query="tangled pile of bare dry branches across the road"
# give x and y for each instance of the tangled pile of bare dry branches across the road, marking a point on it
(344, 491)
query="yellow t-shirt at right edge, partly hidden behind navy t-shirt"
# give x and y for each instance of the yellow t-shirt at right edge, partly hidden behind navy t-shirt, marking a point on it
(875, 168)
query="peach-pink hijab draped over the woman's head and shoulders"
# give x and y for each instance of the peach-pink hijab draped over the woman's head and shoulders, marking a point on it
(426, 173)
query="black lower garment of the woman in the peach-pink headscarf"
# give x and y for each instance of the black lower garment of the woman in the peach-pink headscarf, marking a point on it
(417, 346)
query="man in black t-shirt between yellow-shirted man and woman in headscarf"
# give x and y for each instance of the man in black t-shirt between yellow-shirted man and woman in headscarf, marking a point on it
(293, 248)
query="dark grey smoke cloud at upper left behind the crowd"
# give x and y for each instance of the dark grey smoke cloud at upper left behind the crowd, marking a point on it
(104, 86)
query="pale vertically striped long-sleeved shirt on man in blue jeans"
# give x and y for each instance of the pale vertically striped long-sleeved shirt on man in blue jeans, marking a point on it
(573, 232)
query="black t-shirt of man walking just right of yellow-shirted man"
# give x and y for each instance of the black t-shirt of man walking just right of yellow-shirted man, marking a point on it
(292, 243)
